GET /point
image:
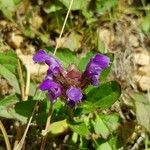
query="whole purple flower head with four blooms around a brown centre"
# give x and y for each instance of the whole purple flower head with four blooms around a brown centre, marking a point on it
(69, 83)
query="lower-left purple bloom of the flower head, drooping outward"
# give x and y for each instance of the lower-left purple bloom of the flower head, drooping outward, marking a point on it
(53, 88)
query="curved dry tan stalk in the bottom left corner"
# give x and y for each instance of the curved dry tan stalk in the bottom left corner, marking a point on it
(5, 136)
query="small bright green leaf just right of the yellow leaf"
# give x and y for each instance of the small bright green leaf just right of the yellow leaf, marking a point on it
(80, 128)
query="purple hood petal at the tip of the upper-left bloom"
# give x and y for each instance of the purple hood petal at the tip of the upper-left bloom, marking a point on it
(40, 56)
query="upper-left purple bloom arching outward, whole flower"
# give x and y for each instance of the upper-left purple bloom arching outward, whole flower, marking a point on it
(54, 65)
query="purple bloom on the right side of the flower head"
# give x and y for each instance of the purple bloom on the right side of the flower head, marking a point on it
(95, 67)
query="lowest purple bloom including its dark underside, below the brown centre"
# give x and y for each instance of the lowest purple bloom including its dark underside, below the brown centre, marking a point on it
(74, 95)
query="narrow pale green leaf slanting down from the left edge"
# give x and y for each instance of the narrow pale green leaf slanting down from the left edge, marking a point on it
(10, 77)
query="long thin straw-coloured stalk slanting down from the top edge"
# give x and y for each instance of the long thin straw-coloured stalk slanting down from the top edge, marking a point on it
(62, 30)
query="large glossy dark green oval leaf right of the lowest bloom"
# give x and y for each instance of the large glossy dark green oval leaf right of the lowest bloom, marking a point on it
(102, 97)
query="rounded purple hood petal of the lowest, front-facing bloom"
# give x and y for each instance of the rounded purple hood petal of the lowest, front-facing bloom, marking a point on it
(74, 94)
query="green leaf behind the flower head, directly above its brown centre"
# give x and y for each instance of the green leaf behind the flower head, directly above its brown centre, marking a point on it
(66, 56)
